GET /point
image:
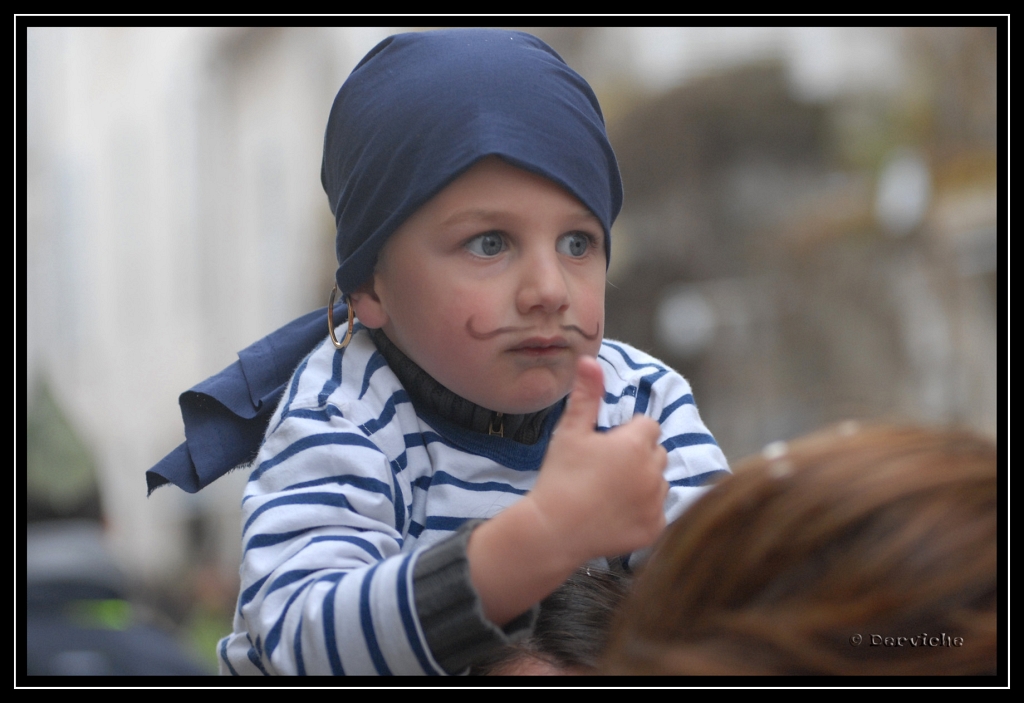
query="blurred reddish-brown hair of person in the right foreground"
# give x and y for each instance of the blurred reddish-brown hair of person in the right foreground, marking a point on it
(870, 534)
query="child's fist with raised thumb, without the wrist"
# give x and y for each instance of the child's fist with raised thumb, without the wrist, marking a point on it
(602, 494)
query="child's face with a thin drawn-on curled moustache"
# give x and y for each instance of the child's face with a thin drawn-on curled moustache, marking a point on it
(495, 287)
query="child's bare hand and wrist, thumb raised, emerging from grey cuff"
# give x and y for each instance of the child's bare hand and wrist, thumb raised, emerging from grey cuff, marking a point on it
(598, 496)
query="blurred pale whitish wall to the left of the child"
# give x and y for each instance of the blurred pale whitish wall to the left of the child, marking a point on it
(176, 216)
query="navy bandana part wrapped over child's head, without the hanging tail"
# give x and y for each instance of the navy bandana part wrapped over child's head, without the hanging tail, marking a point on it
(423, 108)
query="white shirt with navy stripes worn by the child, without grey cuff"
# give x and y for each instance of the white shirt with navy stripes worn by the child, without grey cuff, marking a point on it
(352, 485)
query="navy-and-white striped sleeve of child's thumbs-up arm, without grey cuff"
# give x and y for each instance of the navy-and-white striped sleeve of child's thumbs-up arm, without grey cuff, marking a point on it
(326, 589)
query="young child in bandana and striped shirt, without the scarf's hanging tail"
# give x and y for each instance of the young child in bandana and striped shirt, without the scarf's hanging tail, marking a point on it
(424, 485)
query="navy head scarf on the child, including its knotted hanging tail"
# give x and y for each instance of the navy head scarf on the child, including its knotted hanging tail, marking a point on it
(416, 113)
